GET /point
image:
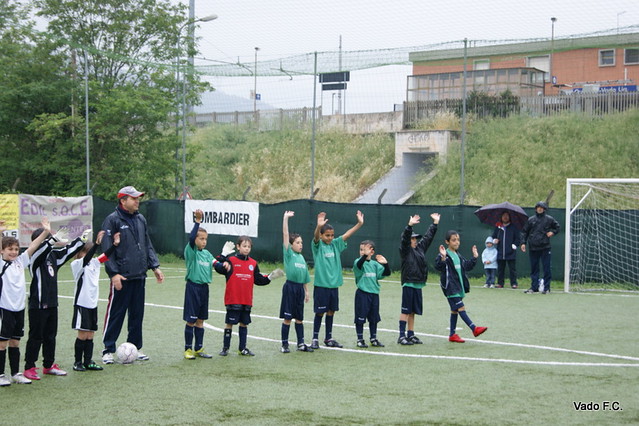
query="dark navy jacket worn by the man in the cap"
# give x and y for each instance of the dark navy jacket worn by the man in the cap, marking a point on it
(135, 254)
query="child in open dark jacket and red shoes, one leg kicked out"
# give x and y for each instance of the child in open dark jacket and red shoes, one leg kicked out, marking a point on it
(452, 268)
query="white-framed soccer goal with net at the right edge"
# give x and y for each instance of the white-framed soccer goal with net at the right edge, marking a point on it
(602, 234)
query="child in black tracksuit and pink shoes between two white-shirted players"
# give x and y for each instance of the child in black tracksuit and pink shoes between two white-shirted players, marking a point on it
(43, 301)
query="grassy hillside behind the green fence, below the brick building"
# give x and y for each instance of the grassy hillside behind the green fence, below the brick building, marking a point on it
(518, 159)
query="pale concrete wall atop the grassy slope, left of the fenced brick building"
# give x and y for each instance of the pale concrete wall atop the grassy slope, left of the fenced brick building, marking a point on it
(388, 122)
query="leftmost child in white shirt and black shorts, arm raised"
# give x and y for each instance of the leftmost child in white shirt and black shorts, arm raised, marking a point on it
(13, 291)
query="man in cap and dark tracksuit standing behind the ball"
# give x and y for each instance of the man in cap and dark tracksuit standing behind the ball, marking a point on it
(127, 268)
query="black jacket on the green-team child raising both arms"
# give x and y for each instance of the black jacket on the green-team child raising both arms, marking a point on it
(414, 268)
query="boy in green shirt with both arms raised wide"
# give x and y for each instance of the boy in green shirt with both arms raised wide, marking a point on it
(328, 275)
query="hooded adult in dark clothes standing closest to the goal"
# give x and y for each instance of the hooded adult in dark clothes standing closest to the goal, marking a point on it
(537, 233)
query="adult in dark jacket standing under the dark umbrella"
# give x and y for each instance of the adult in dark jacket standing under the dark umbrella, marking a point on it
(506, 240)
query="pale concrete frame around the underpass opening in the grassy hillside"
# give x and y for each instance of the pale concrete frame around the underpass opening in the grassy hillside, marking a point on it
(423, 141)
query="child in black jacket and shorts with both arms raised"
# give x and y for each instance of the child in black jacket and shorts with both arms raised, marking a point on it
(414, 273)
